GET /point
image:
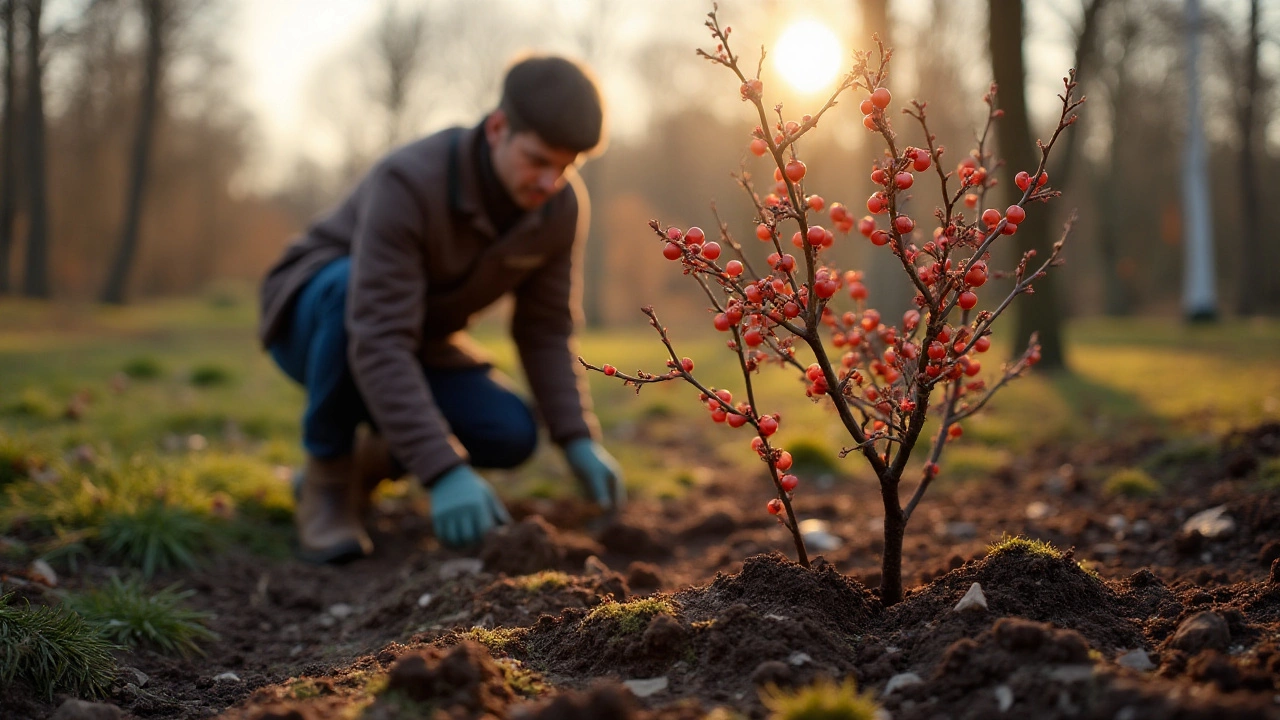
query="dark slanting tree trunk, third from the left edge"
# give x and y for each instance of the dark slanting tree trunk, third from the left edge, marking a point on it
(118, 281)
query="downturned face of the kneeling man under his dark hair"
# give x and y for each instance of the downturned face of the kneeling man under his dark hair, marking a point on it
(531, 170)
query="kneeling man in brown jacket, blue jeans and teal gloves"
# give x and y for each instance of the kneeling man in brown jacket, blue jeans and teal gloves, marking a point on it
(368, 312)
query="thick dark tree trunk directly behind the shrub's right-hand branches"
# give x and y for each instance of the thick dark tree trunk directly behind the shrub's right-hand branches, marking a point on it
(1040, 312)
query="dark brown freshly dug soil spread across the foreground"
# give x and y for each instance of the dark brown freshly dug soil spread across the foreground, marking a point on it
(418, 630)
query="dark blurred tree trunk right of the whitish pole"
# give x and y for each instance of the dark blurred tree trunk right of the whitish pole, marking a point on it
(1254, 276)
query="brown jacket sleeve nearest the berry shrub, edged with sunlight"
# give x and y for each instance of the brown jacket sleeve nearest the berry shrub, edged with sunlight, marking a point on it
(547, 308)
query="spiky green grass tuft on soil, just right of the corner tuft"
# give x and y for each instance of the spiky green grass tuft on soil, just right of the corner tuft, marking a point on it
(131, 617)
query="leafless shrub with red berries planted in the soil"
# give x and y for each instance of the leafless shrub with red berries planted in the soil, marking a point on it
(881, 379)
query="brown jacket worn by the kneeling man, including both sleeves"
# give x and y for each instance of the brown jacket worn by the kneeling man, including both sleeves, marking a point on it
(426, 259)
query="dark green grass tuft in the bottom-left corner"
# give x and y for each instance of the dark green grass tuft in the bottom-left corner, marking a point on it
(54, 651)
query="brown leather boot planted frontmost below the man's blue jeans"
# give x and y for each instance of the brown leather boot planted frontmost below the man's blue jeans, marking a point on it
(327, 518)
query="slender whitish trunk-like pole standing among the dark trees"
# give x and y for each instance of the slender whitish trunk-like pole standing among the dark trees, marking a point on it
(1199, 291)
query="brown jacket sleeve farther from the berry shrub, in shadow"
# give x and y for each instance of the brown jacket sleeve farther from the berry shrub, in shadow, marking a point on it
(386, 311)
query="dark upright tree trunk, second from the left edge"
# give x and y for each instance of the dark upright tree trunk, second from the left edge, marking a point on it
(36, 277)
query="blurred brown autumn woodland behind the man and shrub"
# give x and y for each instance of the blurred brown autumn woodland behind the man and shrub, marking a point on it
(126, 142)
